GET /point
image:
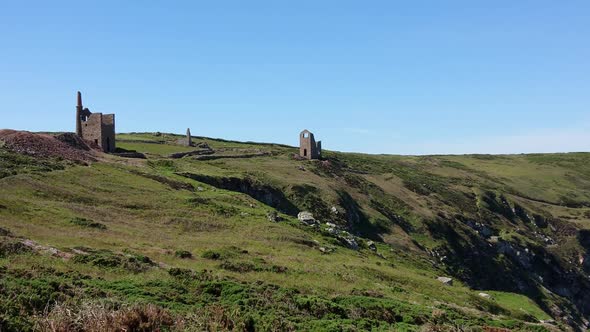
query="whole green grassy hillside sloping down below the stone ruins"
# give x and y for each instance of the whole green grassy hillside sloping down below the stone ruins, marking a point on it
(186, 243)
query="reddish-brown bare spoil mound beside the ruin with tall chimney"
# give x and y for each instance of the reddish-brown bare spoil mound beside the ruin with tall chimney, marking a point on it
(65, 146)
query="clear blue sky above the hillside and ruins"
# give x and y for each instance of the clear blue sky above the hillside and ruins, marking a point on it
(403, 77)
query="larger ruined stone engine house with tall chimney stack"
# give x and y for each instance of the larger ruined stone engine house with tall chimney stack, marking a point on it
(96, 128)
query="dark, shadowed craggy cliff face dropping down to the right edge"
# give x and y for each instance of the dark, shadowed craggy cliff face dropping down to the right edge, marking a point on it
(504, 246)
